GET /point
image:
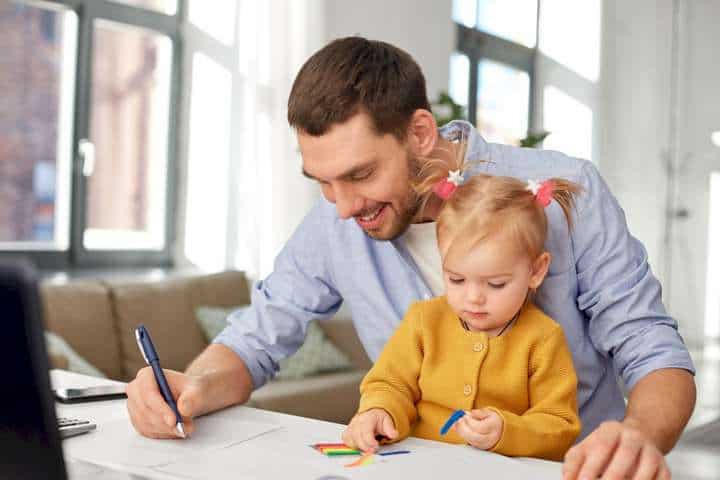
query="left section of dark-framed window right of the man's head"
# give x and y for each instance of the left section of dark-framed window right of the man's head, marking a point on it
(494, 64)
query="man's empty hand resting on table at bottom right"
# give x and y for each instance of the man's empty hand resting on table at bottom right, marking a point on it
(615, 451)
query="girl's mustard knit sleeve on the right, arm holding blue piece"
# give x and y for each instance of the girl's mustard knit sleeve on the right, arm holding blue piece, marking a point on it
(551, 424)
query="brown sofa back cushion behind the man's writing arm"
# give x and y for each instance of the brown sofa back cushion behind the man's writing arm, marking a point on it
(167, 309)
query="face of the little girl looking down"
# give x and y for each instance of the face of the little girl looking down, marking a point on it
(488, 285)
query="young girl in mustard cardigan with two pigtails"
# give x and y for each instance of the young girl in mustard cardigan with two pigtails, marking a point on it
(484, 347)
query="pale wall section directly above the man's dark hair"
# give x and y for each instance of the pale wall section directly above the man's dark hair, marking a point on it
(423, 28)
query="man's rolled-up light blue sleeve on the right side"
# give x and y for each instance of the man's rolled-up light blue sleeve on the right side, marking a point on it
(618, 291)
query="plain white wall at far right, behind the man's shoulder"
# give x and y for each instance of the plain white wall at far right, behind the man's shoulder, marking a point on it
(638, 138)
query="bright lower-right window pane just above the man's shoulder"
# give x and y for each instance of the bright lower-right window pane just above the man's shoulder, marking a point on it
(569, 123)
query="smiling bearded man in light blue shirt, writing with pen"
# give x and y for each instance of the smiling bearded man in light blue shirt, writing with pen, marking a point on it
(364, 128)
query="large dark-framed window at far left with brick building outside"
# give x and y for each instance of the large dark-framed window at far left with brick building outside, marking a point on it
(87, 132)
